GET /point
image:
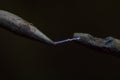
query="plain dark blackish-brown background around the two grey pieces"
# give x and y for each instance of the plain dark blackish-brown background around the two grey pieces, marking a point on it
(24, 59)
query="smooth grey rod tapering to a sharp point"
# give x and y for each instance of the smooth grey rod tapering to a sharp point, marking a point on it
(18, 25)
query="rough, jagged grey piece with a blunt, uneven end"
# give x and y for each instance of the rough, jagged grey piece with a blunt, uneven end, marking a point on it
(108, 43)
